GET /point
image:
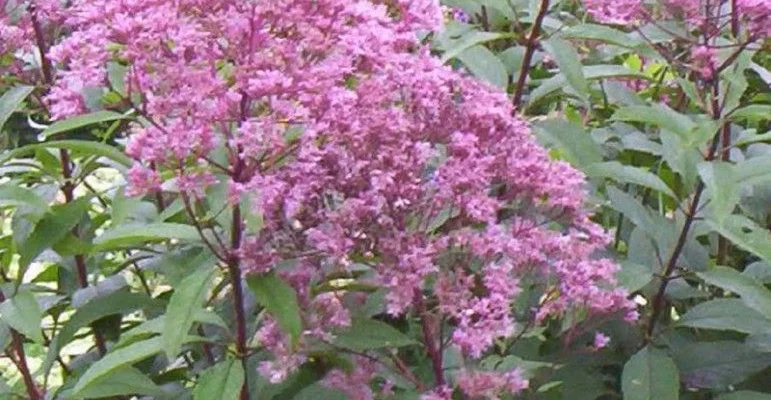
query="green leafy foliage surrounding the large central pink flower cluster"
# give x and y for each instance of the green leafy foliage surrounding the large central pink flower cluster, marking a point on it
(678, 167)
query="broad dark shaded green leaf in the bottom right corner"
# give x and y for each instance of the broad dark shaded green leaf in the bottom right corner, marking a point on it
(717, 365)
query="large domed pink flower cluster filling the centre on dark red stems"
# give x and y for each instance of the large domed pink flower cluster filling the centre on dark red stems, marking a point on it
(361, 152)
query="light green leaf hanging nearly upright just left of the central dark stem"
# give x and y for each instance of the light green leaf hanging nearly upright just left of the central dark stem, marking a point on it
(187, 299)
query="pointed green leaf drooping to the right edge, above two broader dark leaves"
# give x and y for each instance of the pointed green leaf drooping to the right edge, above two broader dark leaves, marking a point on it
(752, 293)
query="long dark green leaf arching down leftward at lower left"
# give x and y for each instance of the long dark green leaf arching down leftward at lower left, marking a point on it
(118, 302)
